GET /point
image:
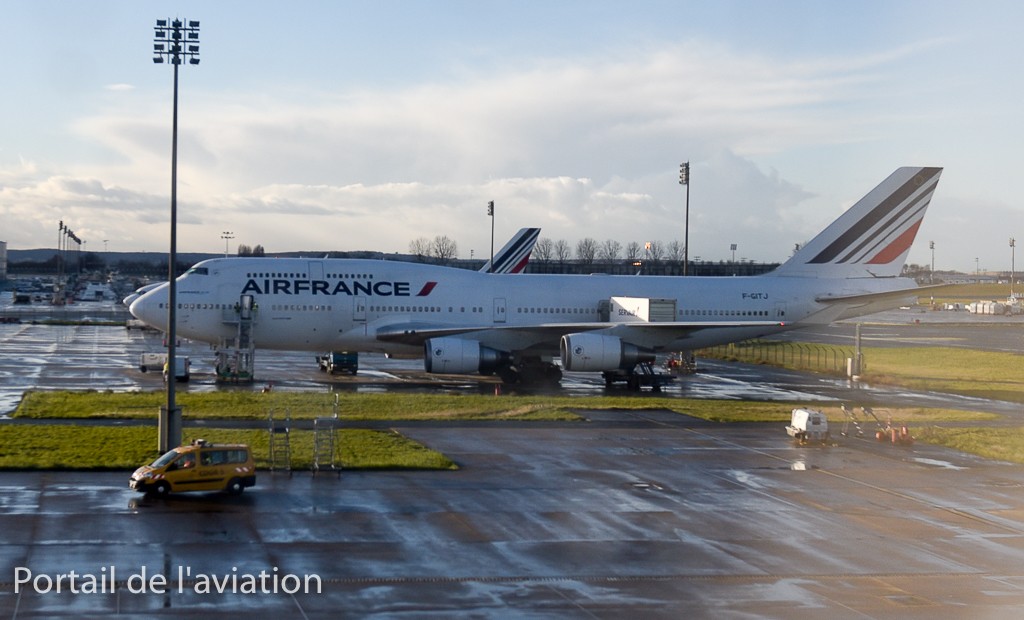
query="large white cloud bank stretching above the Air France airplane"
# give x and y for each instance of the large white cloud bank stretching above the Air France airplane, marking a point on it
(582, 148)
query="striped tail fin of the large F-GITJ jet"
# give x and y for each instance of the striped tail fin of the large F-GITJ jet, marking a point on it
(873, 238)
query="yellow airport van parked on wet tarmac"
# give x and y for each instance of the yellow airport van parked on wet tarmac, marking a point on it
(198, 467)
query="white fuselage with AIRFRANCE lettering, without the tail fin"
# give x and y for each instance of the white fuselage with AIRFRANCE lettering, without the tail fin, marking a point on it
(346, 305)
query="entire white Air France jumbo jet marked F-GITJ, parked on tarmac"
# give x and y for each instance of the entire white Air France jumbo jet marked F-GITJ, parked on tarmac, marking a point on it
(467, 322)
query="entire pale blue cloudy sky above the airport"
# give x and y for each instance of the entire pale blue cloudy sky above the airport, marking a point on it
(335, 126)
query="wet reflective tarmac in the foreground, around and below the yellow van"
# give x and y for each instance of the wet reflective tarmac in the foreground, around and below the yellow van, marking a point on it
(632, 514)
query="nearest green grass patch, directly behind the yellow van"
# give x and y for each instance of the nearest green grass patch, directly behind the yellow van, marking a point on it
(115, 448)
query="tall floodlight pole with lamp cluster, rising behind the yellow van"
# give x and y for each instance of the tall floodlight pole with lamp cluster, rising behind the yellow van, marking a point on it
(176, 42)
